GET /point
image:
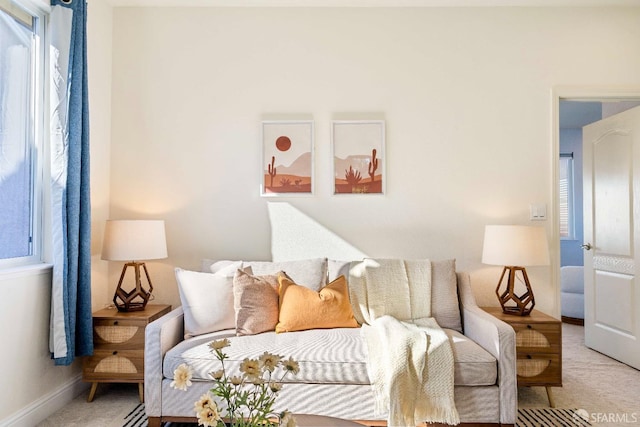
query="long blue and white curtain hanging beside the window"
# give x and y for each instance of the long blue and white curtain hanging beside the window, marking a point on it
(71, 319)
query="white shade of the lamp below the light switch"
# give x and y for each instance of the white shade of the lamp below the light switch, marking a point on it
(515, 245)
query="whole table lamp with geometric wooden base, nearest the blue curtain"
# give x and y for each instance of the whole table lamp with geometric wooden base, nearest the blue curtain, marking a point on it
(134, 241)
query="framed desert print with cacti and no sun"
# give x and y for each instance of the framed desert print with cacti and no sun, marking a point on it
(358, 157)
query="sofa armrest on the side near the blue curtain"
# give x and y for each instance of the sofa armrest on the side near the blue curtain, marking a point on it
(160, 336)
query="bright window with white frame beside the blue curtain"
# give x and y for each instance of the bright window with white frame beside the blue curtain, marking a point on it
(21, 133)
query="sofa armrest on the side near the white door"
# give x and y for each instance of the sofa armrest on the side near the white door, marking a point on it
(499, 339)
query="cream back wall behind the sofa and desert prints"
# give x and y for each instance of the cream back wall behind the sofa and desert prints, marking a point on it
(466, 95)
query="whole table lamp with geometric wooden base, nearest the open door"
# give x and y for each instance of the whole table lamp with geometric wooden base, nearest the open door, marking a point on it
(515, 246)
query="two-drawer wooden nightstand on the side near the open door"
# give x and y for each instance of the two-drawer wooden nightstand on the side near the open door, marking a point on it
(538, 348)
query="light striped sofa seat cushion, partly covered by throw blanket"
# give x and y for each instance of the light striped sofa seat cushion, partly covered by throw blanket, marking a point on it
(325, 356)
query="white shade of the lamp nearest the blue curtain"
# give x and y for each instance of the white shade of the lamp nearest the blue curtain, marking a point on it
(134, 240)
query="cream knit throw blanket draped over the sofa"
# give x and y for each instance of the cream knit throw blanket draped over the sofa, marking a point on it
(410, 361)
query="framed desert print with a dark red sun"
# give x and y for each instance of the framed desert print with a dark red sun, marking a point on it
(287, 158)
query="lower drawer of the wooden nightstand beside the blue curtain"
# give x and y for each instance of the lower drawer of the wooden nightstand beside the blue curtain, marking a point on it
(127, 364)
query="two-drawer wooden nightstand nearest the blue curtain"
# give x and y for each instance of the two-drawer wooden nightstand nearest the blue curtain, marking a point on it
(118, 339)
